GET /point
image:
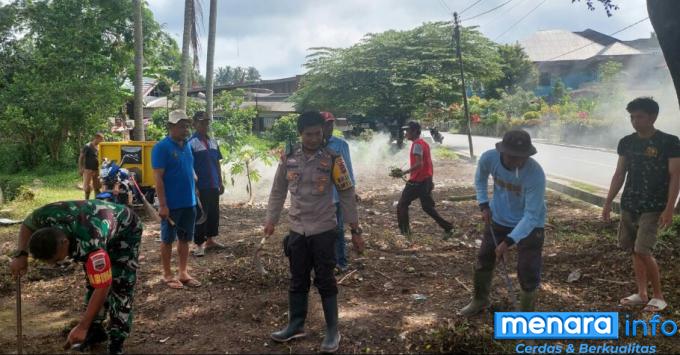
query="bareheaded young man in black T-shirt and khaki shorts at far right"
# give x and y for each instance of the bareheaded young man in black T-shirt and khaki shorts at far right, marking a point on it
(649, 162)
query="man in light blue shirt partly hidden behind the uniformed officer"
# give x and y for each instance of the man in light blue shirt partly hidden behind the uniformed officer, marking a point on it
(341, 147)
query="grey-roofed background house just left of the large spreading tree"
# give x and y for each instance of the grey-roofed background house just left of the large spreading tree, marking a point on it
(268, 96)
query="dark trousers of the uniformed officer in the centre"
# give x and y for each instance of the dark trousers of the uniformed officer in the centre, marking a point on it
(313, 251)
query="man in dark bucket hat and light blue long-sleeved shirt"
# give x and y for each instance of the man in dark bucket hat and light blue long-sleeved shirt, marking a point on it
(515, 216)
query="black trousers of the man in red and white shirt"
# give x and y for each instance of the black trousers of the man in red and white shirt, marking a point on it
(423, 191)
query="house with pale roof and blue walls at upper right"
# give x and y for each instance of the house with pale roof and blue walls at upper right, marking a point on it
(574, 57)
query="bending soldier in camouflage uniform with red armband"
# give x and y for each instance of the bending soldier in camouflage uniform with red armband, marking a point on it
(105, 237)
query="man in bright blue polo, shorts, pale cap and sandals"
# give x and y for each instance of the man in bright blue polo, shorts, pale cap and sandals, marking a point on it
(173, 167)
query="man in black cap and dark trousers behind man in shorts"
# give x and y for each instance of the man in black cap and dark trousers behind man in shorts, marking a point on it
(207, 158)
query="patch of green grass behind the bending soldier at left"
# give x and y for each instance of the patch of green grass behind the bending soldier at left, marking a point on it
(46, 187)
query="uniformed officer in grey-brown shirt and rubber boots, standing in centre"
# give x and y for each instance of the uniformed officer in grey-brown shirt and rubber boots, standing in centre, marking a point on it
(309, 173)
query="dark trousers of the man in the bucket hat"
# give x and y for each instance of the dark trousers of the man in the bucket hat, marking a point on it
(529, 255)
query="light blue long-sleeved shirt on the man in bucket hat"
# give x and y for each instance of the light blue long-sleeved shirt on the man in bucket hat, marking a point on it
(518, 196)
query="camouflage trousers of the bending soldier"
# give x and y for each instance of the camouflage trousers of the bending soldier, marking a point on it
(124, 256)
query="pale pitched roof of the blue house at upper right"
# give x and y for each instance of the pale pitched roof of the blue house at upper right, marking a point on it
(561, 45)
